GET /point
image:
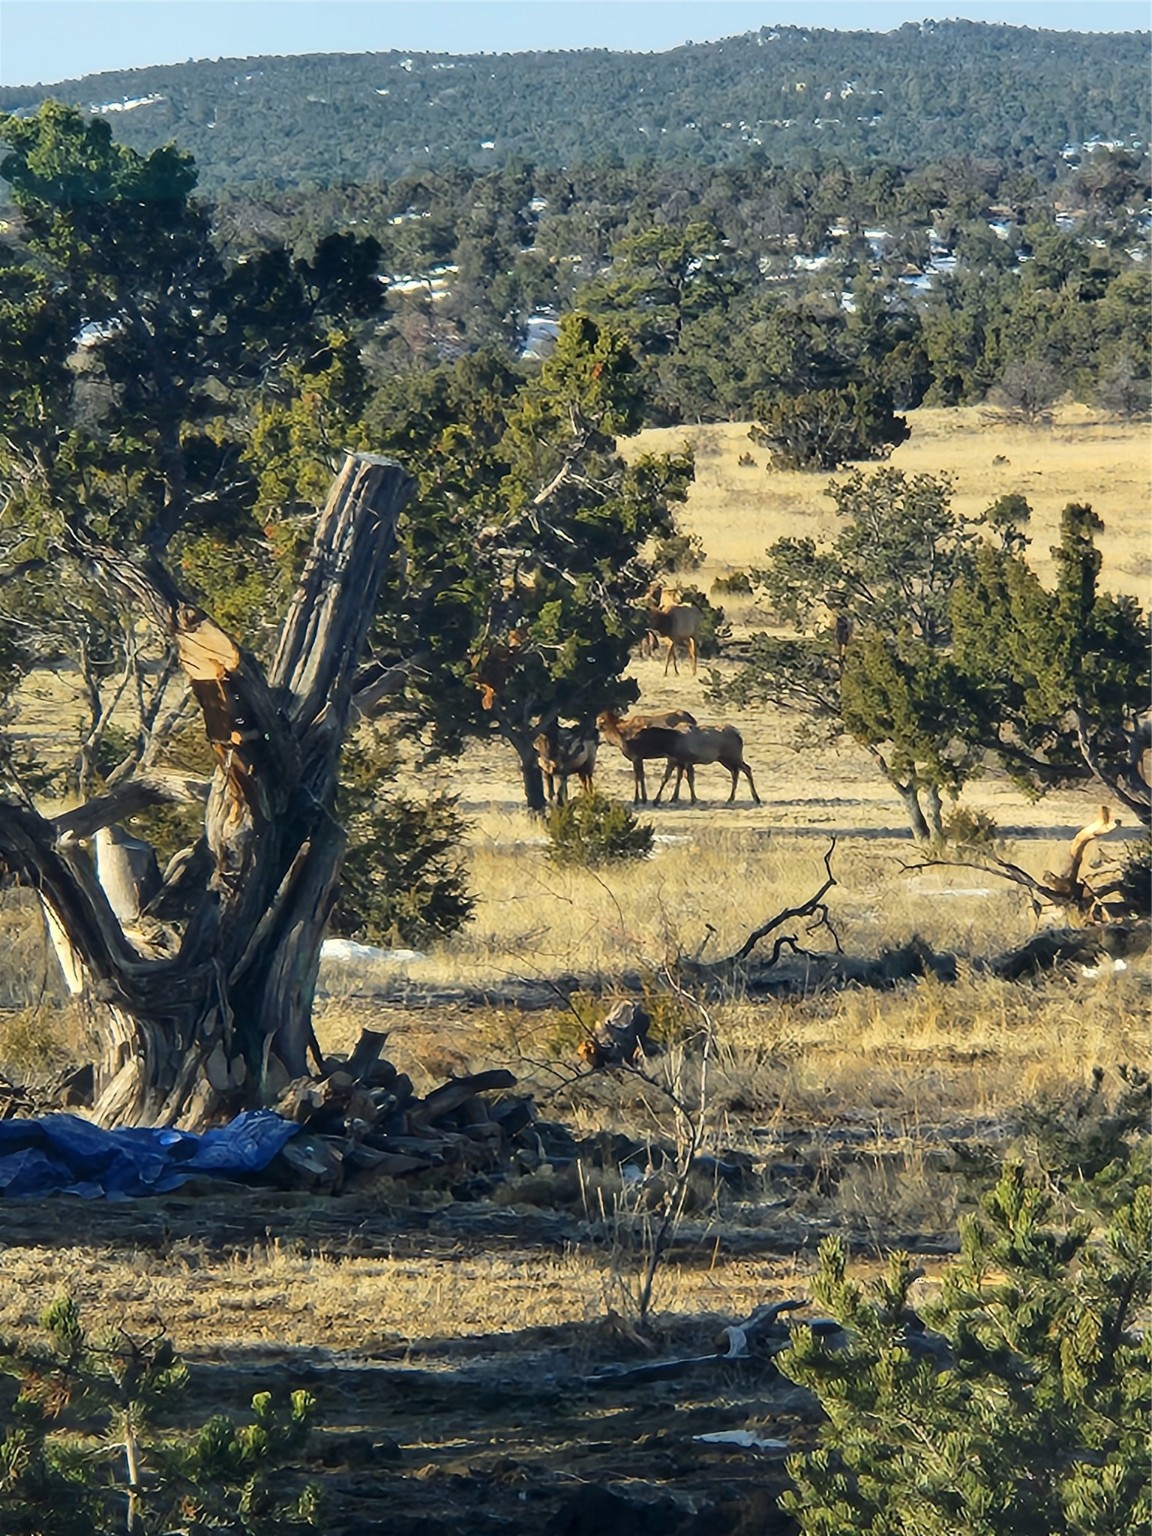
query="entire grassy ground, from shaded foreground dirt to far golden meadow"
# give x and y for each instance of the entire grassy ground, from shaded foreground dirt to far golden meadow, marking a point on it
(463, 1328)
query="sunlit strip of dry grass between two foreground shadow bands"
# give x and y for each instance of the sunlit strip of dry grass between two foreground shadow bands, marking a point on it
(282, 1299)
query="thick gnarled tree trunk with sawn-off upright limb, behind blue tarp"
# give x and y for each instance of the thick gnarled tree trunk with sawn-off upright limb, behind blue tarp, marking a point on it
(225, 1021)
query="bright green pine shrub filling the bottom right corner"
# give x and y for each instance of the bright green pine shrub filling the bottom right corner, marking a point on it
(1028, 1417)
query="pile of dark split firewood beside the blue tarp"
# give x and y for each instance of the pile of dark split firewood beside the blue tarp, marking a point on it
(365, 1121)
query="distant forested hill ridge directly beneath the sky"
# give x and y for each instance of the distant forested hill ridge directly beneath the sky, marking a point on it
(922, 93)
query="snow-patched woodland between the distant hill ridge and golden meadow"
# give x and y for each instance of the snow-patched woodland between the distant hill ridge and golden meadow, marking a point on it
(741, 285)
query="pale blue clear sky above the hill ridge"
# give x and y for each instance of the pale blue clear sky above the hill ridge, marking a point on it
(48, 41)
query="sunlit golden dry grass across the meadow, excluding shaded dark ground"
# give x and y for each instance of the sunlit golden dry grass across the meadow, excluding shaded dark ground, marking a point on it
(893, 1074)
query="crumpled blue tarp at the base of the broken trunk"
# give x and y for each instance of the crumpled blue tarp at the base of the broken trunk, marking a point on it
(68, 1156)
